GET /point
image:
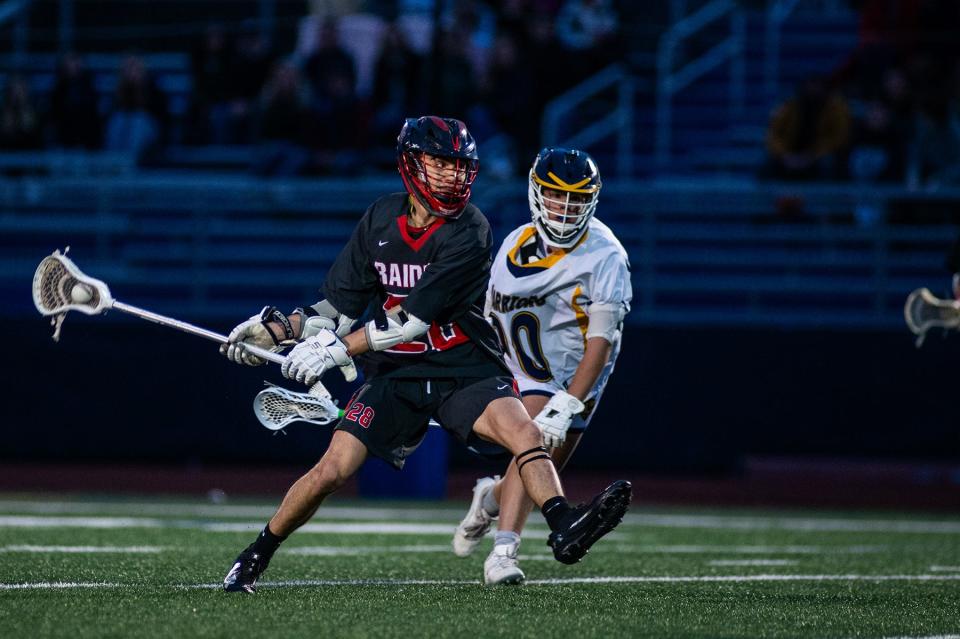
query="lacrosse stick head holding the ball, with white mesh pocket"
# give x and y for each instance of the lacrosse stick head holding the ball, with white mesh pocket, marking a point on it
(59, 286)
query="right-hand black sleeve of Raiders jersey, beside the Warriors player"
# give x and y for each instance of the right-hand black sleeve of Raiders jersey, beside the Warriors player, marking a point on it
(454, 281)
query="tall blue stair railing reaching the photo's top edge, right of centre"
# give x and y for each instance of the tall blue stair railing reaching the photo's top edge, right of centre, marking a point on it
(670, 81)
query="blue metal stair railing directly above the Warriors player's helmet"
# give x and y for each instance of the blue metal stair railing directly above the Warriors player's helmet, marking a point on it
(618, 121)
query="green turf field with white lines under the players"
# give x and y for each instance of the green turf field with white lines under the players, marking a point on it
(123, 568)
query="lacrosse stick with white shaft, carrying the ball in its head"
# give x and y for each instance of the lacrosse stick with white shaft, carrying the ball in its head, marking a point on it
(59, 287)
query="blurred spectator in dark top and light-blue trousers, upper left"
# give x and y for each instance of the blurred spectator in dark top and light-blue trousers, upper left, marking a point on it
(139, 113)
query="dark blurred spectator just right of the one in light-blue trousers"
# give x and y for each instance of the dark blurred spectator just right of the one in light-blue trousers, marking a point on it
(211, 62)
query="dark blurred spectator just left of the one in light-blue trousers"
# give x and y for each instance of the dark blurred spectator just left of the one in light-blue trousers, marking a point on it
(74, 112)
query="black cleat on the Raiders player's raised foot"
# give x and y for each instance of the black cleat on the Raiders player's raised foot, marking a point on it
(589, 522)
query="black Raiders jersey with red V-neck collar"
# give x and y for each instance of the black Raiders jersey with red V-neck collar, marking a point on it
(438, 273)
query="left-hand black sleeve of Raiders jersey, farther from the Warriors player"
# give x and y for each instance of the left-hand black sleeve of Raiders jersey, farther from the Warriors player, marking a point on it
(352, 280)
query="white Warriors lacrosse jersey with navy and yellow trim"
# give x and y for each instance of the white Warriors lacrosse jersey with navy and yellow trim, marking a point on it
(539, 303)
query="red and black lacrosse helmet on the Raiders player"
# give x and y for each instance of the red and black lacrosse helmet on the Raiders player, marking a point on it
(445, 138)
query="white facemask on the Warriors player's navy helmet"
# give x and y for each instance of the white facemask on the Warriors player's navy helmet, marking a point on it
(561, 215)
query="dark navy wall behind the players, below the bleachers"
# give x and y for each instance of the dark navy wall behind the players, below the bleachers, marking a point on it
(686, 401)
